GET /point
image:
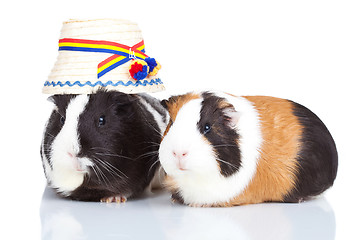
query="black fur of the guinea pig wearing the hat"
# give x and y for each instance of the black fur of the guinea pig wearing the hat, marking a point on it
(126, 141)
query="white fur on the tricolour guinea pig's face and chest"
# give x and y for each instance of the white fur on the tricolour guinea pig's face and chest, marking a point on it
(202, 182)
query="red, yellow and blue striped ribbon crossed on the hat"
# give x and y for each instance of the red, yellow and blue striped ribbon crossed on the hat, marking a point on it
(121, 53)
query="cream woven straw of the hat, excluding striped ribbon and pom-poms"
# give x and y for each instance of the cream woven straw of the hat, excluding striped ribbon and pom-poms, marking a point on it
(75, 72)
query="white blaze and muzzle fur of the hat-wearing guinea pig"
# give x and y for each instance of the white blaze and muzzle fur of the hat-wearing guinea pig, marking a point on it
(68, 171)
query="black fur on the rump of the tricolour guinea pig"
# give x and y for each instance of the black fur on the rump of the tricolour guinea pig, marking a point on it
(317, 159)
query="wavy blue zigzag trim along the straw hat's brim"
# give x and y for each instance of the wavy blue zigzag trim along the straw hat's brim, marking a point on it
(108, 83)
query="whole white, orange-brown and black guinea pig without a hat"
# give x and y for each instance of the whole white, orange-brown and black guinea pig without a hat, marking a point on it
(224, 150)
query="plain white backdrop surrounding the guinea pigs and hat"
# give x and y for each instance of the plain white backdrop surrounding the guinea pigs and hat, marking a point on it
(307, 51)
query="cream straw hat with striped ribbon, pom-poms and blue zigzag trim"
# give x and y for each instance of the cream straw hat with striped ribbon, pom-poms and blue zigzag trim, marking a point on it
(102, 53)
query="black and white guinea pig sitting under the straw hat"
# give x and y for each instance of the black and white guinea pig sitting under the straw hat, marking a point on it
(102, 146)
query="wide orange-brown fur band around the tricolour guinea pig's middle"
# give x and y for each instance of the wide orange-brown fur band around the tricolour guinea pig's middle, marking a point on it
(277, 167)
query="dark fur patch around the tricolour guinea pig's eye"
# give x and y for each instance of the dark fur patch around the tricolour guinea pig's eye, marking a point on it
(222, 136)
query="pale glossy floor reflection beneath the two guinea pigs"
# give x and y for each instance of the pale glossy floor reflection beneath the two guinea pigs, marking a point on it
(155, 217)
